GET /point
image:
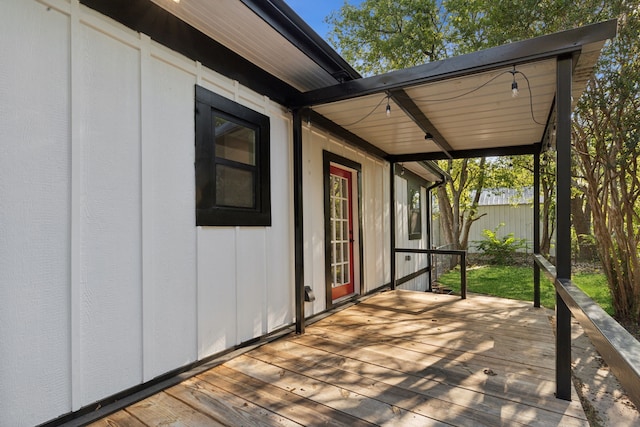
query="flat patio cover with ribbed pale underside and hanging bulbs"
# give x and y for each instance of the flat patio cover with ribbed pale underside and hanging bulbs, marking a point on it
(463, 106)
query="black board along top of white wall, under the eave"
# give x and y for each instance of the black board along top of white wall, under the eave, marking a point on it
(146, 17)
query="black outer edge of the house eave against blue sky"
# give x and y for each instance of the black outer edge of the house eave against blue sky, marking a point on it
(293, 28)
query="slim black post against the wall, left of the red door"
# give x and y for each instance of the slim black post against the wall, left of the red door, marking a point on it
(297, 221)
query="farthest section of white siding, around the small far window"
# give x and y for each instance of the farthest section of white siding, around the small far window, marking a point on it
(415, 262)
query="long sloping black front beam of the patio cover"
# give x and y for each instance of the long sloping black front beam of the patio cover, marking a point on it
(536, 49)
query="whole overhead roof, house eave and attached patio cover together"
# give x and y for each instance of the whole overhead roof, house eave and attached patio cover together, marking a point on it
(454, 108)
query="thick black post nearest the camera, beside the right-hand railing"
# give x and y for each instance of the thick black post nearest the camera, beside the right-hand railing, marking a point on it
(563, 236)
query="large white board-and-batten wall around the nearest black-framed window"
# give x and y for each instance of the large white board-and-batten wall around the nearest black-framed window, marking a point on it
(105, 281)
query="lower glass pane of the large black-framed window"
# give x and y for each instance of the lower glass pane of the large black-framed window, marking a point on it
(234, 187)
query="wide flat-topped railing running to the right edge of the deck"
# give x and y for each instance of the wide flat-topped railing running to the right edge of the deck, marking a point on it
(615, 344)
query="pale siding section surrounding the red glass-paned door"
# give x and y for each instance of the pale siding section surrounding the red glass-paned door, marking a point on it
(375, 214)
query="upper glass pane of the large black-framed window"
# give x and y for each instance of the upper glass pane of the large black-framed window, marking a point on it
(235, 142)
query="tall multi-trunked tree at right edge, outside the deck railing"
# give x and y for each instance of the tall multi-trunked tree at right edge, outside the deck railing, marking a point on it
(607, 142)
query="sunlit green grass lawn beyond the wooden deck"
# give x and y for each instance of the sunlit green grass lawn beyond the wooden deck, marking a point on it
(517, 283)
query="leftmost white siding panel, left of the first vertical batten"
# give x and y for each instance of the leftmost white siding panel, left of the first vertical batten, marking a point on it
(35, 174)
